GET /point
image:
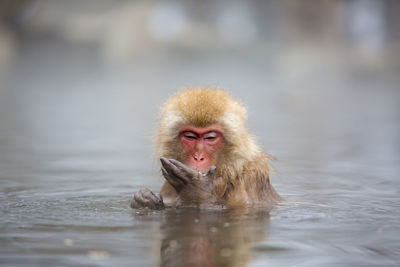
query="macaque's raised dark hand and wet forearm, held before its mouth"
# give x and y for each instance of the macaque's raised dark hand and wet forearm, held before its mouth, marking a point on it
(192, 186)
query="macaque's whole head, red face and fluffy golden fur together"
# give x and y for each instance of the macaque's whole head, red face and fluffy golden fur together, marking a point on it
(205, 127)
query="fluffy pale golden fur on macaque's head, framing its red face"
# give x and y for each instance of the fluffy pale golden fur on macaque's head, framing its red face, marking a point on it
(202, 107)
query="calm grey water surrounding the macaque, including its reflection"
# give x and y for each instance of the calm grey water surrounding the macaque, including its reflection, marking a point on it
(75, 143)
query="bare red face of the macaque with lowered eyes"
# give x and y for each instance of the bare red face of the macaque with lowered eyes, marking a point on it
(200, 145)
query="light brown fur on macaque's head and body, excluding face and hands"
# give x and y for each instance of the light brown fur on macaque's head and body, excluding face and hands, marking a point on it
(242, 176)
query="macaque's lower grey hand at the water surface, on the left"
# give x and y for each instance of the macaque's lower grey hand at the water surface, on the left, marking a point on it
(145, 199)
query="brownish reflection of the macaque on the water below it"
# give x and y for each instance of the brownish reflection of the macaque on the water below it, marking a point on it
(192, 237)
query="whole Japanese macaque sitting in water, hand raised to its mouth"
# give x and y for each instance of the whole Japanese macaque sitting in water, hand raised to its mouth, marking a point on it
(207, 156)
